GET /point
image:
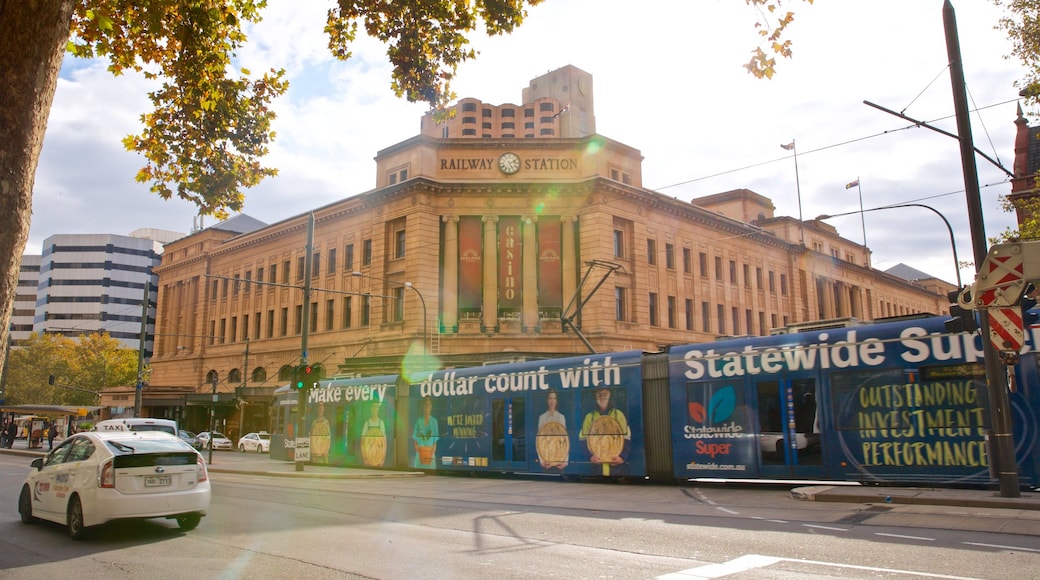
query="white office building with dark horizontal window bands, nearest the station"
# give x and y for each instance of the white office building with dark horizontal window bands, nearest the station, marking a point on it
(96, 283)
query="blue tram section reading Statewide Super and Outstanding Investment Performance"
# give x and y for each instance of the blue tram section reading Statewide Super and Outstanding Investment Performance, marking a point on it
(890, 403)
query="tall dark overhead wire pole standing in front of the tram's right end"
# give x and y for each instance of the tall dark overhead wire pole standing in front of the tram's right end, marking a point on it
(1003, 443)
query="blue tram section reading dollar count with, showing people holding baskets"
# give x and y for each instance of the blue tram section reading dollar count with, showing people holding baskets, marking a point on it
(576, 416)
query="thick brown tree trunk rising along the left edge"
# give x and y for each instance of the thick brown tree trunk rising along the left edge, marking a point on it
(34, 35)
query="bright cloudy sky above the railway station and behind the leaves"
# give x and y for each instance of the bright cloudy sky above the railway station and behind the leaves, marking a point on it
(649, 60)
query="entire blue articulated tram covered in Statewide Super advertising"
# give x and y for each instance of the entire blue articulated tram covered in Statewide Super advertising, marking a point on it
(896, 403)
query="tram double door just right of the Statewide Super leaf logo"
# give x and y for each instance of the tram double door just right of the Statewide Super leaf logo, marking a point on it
(789, 428)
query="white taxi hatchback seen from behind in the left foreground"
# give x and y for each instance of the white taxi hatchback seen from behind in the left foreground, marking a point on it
(95, 478)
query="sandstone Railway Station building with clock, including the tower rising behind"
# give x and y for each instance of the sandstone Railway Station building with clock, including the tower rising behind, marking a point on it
(508, 232)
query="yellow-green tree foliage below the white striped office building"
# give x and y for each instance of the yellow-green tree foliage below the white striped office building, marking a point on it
(54, 370)
